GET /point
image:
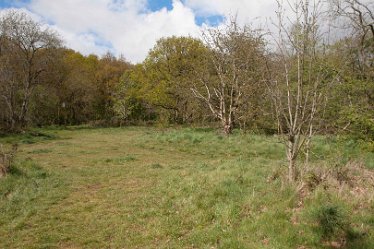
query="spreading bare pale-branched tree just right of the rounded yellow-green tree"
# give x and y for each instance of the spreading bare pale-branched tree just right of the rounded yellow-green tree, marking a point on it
(230, 72)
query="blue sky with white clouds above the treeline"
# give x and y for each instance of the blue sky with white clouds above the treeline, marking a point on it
(132, 27)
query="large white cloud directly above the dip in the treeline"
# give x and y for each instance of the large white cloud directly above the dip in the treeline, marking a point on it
(89, 26)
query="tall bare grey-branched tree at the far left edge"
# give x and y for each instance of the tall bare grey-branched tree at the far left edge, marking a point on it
(26, 50)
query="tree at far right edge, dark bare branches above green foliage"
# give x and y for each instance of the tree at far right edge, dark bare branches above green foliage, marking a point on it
(356, 108)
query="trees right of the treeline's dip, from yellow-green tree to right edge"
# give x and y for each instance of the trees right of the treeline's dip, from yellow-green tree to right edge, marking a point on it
(301, 80)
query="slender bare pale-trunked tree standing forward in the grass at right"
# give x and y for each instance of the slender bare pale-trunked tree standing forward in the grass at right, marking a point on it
(297, 76)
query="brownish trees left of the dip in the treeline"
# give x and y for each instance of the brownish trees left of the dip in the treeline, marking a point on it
(43, 83)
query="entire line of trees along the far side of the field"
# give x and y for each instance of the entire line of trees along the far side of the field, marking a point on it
(236, 77)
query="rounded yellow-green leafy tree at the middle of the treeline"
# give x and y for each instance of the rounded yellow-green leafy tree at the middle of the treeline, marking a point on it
(170, 66)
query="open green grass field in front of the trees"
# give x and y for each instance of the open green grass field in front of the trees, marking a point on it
(175, 188)
